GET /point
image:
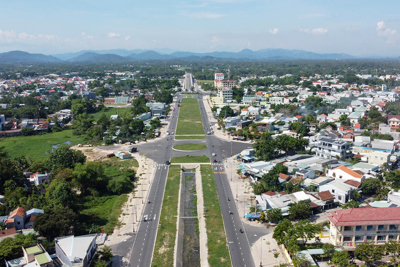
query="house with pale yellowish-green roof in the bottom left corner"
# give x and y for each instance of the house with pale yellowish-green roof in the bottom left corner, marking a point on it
(34, 255)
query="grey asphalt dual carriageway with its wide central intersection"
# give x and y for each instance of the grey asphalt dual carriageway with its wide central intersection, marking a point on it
(141, 252)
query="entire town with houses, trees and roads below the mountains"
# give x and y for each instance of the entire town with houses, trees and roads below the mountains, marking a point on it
(200, 164)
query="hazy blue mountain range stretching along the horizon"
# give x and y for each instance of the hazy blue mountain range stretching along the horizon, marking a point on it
(121, 55)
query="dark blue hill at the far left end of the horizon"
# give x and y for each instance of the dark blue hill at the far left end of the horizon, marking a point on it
(14, 57)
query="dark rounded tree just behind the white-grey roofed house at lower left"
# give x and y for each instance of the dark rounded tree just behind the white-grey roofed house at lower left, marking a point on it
(54, 223)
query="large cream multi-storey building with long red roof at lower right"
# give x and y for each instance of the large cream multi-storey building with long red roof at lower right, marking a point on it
(351, 227)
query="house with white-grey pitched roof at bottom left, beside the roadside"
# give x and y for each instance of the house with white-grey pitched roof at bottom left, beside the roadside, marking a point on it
(76, 251)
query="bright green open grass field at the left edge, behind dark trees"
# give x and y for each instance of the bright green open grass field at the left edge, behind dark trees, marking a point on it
(36, 146)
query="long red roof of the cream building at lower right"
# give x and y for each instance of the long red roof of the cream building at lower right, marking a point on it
(365, 216)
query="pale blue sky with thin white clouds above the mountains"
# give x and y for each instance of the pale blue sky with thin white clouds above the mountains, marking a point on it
(356, 27)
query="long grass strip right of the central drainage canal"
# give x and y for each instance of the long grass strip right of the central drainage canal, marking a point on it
(216, 238)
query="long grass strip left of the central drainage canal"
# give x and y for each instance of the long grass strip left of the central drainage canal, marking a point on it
(165, 242)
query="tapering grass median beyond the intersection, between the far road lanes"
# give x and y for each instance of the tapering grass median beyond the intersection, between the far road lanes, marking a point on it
(189, 121)
